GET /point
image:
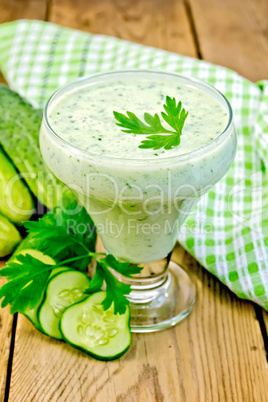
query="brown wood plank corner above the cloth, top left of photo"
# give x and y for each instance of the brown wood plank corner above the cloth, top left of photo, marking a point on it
(16, 9)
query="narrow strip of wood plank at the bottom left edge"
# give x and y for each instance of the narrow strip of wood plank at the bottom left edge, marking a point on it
(6, 321)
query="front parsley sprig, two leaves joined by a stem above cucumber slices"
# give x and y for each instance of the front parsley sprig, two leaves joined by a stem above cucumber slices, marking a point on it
(28, 276)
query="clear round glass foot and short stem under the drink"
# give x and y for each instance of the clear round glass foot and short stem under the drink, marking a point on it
(162, 304)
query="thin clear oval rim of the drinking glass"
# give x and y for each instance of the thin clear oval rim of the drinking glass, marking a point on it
(191, 81)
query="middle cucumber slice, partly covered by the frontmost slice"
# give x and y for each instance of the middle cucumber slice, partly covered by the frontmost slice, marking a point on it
(62, 291)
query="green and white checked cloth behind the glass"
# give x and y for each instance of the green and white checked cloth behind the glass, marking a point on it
(228, 231)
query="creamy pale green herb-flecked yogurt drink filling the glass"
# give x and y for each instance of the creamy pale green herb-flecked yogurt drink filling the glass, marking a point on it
(138, 198)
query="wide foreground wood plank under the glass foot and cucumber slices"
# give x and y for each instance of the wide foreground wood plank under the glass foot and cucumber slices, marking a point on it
(217, 353)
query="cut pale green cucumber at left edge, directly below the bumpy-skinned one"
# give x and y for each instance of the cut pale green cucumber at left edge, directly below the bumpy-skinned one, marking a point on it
(16, 202)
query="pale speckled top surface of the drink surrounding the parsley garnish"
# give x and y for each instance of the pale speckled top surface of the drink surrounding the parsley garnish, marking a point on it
(86, 107)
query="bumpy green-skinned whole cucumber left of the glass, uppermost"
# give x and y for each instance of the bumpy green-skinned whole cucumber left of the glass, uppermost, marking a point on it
(19, 136)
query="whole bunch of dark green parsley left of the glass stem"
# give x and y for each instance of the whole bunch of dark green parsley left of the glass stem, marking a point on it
(27, 276)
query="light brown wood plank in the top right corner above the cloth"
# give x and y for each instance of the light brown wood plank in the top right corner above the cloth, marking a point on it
(233, 33)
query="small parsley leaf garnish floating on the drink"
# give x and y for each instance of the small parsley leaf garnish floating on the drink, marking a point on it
(175, 117)
